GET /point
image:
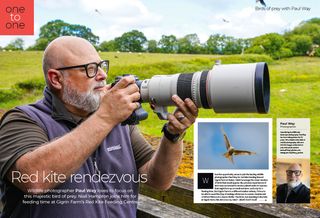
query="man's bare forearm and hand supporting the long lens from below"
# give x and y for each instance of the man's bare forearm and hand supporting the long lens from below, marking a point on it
(162, 168)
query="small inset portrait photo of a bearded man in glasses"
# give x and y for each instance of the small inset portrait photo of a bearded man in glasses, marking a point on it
(293, 180)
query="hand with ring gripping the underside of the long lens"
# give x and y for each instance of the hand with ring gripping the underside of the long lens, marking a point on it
(184, 115)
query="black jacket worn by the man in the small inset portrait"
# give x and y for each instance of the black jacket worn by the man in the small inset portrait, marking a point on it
(300, 194)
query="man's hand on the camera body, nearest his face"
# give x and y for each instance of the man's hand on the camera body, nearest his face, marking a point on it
(118, 103)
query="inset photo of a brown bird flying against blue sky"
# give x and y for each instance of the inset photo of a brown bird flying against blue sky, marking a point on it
(234, 143)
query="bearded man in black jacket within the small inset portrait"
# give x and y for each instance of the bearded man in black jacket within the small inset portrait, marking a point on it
(293, 191)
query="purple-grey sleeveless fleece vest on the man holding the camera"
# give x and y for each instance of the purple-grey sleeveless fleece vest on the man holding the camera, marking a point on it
(112, 197)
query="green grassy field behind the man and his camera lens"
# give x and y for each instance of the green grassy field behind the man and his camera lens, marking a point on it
(295, 84)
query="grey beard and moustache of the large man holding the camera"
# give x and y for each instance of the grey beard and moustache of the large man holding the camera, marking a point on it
(88, 101)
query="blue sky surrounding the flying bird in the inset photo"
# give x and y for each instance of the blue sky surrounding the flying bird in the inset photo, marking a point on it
(243, 136)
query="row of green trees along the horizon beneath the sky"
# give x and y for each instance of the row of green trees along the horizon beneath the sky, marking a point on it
(303, 40)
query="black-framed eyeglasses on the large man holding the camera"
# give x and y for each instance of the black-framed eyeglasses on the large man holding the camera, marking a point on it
(91, 68)
